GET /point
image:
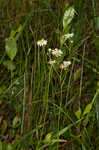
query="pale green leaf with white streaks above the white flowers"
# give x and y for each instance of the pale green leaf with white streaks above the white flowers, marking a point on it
(68, 16)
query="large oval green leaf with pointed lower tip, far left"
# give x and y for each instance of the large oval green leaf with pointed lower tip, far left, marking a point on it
(11, 48)
